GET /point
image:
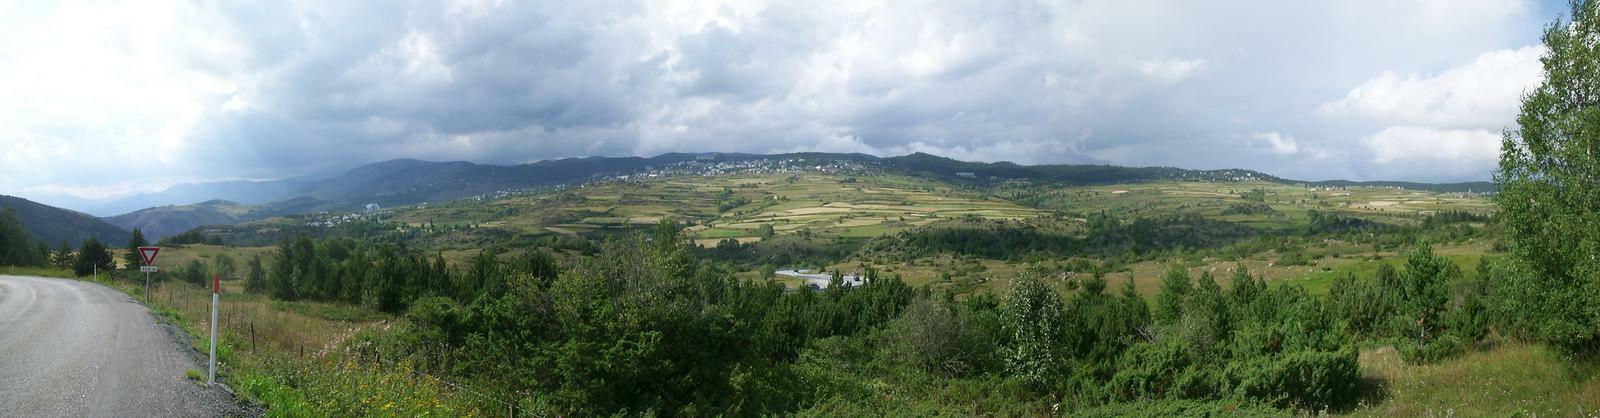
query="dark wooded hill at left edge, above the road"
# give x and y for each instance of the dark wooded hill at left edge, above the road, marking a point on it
(54, 227)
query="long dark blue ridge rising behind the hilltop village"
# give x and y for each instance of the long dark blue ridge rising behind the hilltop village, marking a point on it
(414, 182)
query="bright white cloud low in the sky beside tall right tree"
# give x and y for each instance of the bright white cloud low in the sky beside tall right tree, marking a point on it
(1484, 94)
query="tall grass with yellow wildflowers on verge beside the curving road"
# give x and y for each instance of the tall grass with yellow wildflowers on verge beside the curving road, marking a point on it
(290, 358)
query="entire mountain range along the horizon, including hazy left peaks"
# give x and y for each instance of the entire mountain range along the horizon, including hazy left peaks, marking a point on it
(412, 182)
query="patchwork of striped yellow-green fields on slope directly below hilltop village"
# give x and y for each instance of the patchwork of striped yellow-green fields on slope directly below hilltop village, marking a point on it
(727, 207)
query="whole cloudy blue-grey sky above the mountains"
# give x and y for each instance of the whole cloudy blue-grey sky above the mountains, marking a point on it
(111, 98)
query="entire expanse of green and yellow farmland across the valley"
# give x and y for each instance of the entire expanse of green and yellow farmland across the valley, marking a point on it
(849, 212)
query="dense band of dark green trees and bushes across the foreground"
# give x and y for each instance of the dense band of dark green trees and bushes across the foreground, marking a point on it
(649, 328)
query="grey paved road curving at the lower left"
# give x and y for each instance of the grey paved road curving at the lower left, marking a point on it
(82, 350)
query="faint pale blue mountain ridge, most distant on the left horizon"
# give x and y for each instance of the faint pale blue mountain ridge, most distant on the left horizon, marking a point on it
(242, 191)
